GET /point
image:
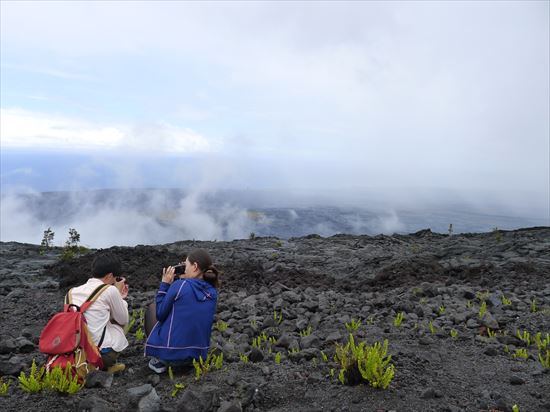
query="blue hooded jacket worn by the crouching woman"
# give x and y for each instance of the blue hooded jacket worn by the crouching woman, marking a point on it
(185, 312)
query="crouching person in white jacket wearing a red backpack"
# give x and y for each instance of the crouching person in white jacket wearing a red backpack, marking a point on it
(108, 314)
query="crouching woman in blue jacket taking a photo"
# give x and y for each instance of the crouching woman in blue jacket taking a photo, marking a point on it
(185, 311)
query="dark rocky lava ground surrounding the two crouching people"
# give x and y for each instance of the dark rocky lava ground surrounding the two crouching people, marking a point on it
(318, 285)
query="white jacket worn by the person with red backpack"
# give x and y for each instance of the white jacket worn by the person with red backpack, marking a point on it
(109, 306)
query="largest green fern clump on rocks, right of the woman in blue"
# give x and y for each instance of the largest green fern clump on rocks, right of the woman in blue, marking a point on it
(365, 363)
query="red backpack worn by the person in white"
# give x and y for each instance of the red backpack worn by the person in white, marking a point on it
(66, 338)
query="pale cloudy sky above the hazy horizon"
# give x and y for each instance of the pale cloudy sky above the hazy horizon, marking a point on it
(399, 97)
